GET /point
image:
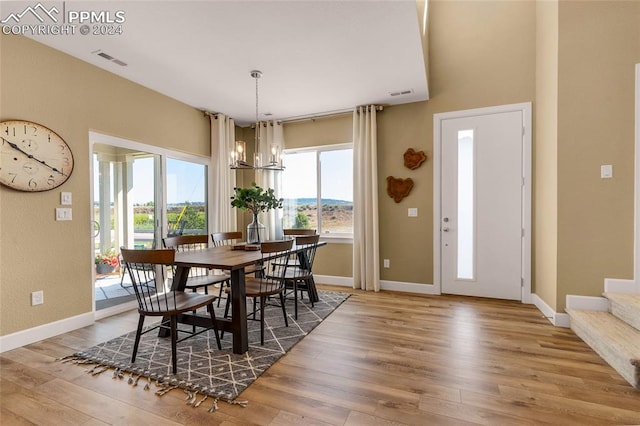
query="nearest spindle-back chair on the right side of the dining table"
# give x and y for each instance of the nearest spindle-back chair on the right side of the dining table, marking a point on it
(267, 284)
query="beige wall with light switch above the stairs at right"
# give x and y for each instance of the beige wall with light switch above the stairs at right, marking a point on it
(599, 45)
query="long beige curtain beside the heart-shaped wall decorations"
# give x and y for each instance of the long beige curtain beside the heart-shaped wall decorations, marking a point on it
(366, 257)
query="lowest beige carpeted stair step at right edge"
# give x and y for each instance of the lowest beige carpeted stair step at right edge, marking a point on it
(615, 341)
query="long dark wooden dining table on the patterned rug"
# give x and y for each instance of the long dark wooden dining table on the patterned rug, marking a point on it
(234, 263)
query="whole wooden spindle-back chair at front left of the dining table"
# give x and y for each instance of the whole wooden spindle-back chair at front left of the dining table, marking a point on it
(168, 304)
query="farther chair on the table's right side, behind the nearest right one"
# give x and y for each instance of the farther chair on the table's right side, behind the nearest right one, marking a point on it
(299, 277)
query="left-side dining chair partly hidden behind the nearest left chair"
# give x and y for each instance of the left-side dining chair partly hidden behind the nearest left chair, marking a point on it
(198, 277)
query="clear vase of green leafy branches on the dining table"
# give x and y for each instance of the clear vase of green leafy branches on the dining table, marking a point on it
(256, 200)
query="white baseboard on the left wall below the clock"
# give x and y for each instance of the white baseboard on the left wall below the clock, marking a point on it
(35, 334)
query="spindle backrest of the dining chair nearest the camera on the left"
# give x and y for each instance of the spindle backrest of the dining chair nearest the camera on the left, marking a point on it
(147, 270)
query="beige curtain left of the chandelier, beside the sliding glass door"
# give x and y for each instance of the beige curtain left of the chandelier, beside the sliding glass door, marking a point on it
(223, 217)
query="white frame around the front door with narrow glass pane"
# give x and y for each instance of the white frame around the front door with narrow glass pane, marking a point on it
(525, 109)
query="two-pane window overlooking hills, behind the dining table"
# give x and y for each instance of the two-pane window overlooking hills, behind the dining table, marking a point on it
(317, 187)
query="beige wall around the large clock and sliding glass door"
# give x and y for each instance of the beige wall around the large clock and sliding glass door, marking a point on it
(71, 97)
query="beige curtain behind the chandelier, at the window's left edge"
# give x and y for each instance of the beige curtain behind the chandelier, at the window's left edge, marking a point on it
(270, 140)
